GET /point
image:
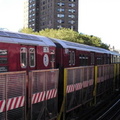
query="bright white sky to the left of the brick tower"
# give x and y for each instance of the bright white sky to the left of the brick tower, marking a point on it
(11, 14)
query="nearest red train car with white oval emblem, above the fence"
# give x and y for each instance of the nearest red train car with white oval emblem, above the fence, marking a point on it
(25, 52)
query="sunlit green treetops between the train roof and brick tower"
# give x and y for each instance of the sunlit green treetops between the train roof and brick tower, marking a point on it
(69, 35)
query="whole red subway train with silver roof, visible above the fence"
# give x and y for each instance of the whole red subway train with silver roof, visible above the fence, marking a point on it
(38, 52)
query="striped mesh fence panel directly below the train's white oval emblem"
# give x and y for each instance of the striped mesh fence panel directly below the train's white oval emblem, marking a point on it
(43, 94)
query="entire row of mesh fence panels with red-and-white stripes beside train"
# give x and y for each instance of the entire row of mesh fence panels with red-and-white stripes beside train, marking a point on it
(35, 96)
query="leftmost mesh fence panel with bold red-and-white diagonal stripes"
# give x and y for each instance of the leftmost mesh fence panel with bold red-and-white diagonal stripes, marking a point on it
(12, 96)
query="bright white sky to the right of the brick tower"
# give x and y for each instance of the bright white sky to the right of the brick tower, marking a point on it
(101, 18)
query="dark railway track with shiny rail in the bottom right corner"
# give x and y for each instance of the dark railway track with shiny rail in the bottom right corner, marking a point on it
(107, 110)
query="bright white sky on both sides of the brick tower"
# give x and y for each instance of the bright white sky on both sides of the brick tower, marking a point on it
(100, 18)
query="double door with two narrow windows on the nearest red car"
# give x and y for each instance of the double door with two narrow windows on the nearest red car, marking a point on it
(28, 58)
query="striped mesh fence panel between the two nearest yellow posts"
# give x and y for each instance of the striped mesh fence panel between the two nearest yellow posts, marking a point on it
(79, 86)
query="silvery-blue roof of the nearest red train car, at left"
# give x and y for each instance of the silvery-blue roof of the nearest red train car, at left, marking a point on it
(21, 38)
